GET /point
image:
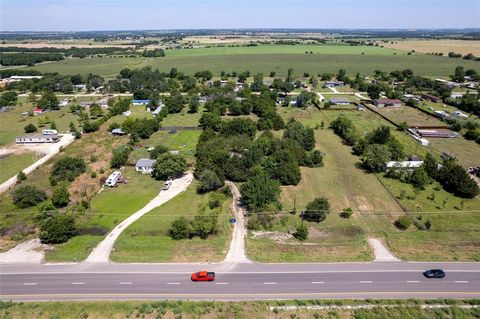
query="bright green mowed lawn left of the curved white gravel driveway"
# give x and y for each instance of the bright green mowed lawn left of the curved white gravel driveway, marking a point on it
(108, 208)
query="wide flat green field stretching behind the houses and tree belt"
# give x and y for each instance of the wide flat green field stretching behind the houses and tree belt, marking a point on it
(280, 62)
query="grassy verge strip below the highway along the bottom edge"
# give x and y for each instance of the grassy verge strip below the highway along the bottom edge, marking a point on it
(397, 309)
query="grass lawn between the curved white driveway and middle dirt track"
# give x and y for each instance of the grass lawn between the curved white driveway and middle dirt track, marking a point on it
(148, 241)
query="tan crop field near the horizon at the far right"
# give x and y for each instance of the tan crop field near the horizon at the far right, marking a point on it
(445, 46)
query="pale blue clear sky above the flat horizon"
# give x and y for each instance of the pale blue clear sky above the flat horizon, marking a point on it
(89, 15)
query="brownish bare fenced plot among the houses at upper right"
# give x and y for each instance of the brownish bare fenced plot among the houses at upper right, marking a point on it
(410, 115)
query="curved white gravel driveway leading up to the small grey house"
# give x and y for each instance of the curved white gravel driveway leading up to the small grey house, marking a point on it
(101, 253)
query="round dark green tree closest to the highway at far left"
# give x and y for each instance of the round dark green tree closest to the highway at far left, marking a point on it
(58, 229)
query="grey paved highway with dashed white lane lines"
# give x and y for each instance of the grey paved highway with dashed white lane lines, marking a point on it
(237, 281)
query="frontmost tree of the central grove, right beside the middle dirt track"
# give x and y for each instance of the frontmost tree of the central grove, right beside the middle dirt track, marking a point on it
(259, 191)
